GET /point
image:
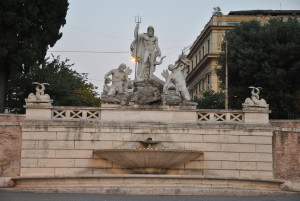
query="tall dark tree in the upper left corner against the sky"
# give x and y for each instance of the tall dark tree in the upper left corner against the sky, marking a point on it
(28, 28)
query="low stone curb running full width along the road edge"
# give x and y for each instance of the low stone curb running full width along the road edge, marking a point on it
(140, 190)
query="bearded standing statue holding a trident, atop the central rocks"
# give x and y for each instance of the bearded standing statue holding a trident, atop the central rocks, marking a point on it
(145, 50)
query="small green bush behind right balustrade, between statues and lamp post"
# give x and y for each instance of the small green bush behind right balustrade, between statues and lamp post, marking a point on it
(210, 100)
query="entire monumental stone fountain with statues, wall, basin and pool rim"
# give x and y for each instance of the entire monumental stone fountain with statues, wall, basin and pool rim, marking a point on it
(154, 137)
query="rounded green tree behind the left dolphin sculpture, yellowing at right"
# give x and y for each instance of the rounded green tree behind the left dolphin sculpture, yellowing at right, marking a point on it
(67, 87)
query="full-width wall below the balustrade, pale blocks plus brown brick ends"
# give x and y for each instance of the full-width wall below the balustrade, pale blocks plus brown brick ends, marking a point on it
(66, 147)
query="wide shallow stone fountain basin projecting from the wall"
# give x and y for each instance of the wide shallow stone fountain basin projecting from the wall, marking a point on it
(148, 158)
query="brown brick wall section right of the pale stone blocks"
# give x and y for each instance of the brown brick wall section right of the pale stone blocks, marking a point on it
(286, 146)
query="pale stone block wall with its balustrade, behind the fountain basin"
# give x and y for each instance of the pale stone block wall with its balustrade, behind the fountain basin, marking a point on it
(234, 144)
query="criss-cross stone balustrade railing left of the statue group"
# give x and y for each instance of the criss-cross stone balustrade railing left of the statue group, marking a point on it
(76, 113)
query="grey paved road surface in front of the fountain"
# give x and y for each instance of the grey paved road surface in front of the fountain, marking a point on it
(21, 196)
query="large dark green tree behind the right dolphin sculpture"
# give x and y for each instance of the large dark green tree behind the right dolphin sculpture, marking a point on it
(267, 56)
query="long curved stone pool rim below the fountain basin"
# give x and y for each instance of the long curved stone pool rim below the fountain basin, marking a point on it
(147, 184)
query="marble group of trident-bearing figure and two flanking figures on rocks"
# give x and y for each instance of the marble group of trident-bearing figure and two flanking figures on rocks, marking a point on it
(146, 88)
